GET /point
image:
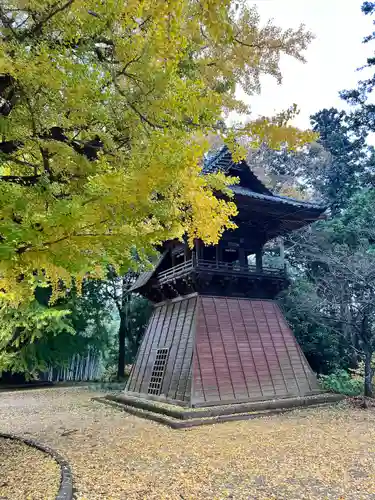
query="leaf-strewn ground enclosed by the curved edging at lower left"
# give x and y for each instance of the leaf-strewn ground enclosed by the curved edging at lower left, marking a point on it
(26, 473)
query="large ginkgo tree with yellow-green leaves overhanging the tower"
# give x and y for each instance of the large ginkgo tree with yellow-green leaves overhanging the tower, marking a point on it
(104, 111)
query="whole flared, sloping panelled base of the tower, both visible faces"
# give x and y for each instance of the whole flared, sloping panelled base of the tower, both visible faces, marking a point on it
(222, 350)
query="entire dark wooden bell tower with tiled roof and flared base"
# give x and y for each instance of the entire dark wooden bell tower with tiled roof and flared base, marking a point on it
(216, 335)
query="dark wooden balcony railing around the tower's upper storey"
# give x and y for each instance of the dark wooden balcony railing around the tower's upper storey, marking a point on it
(218, 267)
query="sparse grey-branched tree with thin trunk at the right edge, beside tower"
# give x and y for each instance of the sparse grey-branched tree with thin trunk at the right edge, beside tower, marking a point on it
(338, 259)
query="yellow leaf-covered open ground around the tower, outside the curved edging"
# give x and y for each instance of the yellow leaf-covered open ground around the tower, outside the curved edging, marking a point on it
(326, 453)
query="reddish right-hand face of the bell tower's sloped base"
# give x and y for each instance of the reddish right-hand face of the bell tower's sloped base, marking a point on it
(245, 351)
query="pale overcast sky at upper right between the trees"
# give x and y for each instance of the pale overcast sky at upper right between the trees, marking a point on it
(332, 58)
